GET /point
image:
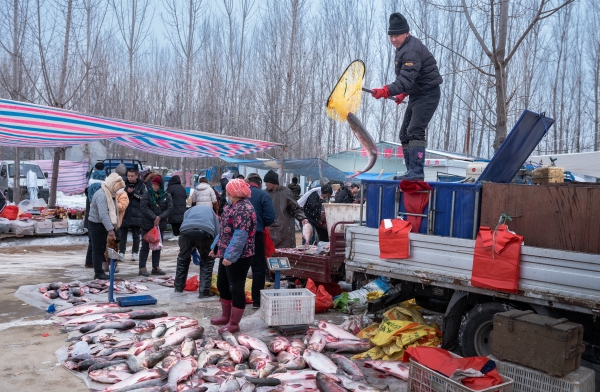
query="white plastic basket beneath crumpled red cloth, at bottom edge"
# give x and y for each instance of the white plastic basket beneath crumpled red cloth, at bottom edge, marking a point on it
(423, 379)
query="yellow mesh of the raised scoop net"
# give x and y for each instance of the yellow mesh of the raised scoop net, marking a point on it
(346, 95)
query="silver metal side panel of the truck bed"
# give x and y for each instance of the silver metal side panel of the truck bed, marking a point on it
(548, 277)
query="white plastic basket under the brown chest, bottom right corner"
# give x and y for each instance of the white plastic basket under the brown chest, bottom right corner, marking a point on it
(531, 380)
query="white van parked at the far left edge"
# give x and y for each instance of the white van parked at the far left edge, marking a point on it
(7, 174)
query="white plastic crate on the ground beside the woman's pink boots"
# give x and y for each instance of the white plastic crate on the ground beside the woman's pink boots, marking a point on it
(287, 307)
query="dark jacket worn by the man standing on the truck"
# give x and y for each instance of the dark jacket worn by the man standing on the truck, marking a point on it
(416, 69)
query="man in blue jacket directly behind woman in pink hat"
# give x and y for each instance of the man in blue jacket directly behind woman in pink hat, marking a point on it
(265, 216)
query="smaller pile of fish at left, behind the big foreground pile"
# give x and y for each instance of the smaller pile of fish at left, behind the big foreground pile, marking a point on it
(74, 292)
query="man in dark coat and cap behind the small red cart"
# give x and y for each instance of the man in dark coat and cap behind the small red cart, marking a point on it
(283, 230)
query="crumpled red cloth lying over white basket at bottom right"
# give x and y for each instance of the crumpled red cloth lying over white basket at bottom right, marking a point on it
(443, 362)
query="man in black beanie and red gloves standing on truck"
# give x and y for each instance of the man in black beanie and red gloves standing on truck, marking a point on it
(417, 76)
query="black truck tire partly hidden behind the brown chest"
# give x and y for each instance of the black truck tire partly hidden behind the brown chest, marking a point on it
(474, 338)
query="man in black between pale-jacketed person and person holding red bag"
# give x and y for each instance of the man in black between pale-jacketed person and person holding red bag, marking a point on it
(135, 189)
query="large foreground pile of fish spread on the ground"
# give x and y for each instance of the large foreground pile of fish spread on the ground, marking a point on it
(146, 350)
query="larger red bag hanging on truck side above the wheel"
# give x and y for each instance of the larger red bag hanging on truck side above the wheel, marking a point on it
(496, 259)
